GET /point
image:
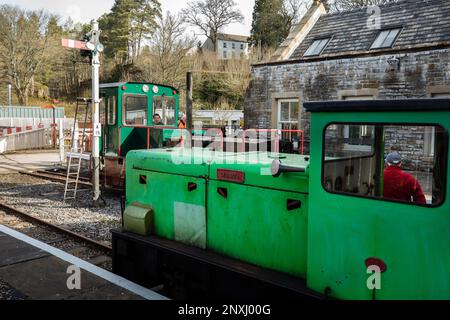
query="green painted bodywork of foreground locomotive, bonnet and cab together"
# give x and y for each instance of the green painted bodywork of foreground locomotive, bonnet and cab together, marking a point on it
(327, 240)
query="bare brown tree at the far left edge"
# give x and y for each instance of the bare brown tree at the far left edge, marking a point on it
(22, 47)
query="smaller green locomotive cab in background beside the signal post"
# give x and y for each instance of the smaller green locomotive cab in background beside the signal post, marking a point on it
(127, 116)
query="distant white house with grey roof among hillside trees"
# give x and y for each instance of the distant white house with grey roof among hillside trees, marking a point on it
(229, 46)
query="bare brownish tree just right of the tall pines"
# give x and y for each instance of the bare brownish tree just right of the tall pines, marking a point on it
(169, 48)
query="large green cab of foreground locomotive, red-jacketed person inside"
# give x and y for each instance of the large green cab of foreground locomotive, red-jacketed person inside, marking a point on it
(363, 241)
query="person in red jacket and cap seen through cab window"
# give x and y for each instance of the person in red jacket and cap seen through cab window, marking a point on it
(399, 185)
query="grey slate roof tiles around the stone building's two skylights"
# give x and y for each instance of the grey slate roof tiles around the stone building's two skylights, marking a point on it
(423, 21)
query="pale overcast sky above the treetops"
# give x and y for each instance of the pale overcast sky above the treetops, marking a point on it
(86, 10)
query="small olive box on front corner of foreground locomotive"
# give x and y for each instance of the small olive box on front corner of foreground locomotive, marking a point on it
(138, 219)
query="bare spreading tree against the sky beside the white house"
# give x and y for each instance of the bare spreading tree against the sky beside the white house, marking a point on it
(212, 15)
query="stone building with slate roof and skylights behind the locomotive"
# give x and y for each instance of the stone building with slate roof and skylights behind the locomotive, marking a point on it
(400, 50)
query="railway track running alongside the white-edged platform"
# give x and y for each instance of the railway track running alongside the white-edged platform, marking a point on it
(58, 229)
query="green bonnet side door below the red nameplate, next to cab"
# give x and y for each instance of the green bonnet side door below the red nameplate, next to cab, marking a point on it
(254, 225)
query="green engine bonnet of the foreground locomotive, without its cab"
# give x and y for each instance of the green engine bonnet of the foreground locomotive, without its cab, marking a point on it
(267, 243)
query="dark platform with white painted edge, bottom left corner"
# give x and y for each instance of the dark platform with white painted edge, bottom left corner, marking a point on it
(32, 270)
